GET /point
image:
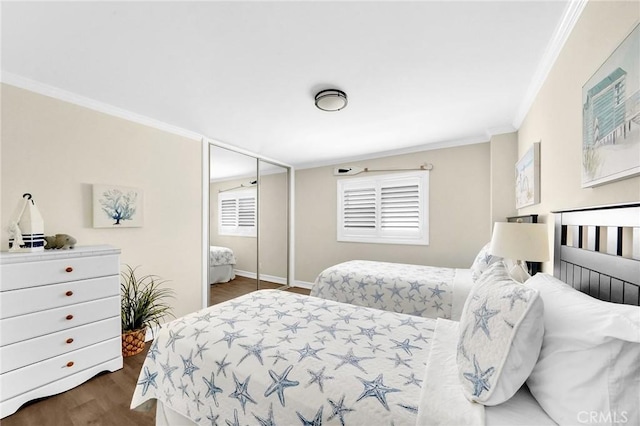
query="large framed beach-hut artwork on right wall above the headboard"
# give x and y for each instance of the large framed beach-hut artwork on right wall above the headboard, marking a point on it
(611, 116)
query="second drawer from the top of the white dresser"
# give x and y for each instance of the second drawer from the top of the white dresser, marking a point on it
(34, 299)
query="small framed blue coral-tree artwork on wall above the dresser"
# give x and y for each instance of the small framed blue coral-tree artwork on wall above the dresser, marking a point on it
(117, 206)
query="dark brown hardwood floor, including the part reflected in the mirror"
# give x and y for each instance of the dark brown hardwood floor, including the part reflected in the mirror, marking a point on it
(105, 399)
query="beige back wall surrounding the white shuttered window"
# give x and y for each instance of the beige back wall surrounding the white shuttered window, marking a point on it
(459, 213)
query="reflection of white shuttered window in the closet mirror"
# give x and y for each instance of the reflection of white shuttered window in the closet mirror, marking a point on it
(237, 212)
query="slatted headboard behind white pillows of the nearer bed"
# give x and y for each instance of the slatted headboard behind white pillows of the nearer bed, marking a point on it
(597, 251)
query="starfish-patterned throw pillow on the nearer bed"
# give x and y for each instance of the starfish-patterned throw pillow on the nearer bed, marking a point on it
(501, 332)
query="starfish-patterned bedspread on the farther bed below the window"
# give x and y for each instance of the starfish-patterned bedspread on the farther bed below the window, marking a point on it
(424, 291)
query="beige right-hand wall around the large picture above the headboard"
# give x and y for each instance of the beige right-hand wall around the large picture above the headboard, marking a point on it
(555, 117)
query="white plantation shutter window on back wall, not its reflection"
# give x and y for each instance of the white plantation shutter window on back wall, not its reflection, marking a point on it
(389, 209)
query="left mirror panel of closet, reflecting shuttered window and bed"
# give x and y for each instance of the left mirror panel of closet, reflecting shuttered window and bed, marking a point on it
(233, 223)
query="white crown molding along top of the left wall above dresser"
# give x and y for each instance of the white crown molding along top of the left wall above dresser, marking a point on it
(73, 98)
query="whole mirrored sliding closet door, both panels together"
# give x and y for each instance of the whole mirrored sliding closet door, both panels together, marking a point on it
(248, 224)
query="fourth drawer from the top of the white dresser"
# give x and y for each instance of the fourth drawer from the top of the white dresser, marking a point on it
(34, 350)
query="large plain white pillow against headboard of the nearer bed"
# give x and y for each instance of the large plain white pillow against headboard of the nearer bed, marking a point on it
(589, 366)
